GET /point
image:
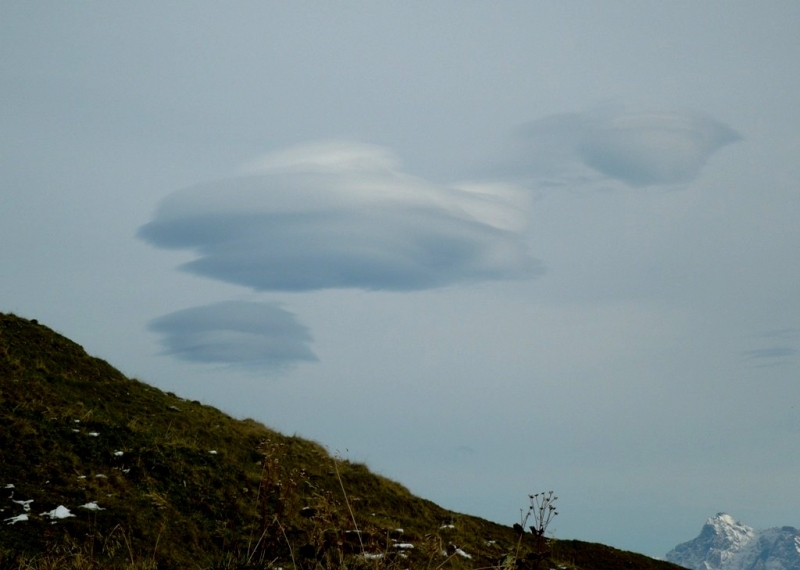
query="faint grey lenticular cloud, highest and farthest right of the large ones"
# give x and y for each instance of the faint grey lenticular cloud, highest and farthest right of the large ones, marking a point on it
(639, 148)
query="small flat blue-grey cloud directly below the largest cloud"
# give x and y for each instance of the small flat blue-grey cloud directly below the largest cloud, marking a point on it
(235, 332)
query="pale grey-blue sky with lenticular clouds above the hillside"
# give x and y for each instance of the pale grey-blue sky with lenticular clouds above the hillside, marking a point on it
(489, 249)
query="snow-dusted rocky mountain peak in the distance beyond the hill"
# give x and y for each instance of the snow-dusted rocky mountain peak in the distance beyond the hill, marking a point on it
(726, 544)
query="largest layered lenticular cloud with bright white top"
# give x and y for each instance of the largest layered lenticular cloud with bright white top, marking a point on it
(343, 215)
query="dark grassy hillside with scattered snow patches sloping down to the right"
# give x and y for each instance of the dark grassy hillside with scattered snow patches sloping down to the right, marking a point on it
(101, 471)
